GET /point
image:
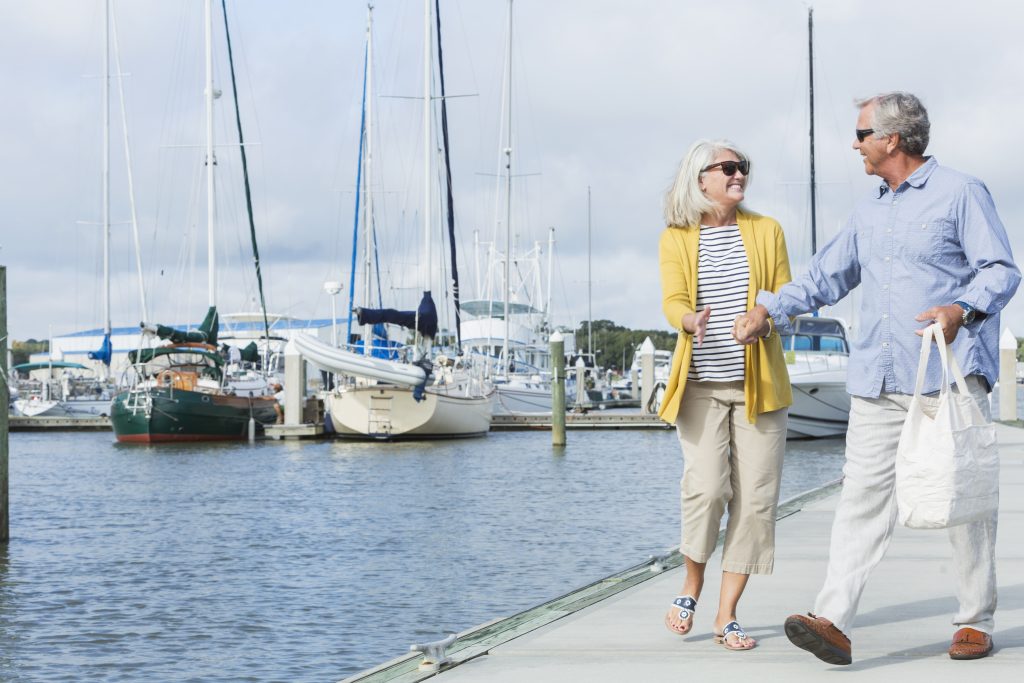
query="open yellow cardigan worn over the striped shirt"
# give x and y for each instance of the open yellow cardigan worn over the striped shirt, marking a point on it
(766, 380)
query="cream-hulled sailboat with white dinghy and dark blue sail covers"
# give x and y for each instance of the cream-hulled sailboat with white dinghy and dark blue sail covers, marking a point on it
(429, 396)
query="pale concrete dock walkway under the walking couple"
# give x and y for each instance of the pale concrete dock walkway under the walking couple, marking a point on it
(903, 631)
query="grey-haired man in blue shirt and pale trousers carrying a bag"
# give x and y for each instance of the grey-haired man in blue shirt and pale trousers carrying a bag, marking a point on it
(927, 246)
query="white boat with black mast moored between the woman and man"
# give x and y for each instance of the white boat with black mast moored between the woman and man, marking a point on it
(818, 353)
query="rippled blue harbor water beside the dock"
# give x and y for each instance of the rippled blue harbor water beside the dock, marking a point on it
(309, 562)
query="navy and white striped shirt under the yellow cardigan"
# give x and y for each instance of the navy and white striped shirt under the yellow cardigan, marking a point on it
(723, 279)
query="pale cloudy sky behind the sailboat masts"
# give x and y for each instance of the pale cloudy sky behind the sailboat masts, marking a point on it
(607, 98)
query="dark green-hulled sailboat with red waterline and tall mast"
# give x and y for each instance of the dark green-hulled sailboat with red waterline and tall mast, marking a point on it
(183, 392)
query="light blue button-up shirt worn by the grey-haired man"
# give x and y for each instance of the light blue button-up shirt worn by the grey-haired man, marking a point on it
(934, 241)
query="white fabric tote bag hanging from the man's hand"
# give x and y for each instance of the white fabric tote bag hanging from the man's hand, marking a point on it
(948, 466)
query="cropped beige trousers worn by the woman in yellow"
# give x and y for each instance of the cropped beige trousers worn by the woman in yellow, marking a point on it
(730, 464)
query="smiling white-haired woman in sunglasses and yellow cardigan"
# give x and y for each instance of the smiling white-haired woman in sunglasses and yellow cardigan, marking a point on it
(729, 402)
